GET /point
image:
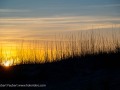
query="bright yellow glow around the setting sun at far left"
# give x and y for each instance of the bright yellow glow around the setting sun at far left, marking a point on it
(7, 54)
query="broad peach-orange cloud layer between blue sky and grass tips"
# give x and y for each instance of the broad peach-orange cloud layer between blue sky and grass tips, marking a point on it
(35, 27)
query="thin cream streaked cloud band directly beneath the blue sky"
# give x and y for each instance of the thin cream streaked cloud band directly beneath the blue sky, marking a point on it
(58, 20)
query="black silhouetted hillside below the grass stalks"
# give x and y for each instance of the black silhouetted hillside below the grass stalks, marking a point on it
(90, 72)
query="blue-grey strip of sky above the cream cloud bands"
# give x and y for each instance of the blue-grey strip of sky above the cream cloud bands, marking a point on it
(48, 8)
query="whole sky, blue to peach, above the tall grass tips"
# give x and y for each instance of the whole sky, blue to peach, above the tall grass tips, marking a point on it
(33, 19)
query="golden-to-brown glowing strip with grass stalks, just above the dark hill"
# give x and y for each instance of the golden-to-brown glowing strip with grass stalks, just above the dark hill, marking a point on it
(14, 52)
